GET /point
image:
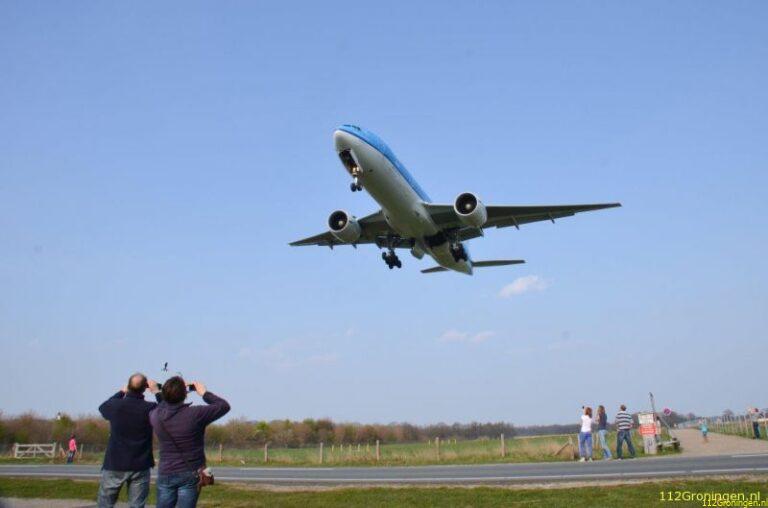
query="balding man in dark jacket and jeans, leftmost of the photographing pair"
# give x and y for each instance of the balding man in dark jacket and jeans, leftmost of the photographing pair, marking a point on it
(129, 452)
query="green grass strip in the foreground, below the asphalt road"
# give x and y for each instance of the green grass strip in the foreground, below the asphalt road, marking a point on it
(633, 495)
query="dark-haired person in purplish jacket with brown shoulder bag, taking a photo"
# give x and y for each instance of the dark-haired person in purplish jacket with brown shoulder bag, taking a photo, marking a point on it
(180, 429)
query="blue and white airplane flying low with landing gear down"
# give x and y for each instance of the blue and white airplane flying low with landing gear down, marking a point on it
(408, 218)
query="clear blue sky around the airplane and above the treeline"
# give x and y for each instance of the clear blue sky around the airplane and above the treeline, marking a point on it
(156, 159)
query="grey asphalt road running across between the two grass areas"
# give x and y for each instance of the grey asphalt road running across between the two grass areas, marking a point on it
(663, 467)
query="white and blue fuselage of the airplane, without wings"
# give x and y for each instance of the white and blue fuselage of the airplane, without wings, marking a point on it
(402, 206)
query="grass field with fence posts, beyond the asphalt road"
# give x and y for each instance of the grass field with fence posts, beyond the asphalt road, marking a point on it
(481, 451)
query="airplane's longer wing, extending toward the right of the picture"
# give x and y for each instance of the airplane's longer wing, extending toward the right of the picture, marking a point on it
(502, 216)
